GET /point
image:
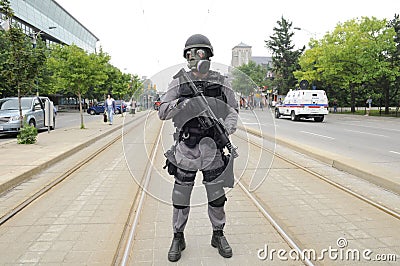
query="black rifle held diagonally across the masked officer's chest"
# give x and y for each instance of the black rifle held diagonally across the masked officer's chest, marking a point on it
(207, 122)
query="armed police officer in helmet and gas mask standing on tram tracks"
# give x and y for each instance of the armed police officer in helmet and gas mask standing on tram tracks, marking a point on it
(196, 146)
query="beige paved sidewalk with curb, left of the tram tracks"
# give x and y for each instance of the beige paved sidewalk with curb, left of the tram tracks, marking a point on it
(19, 161)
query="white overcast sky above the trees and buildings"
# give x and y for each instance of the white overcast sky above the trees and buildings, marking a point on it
(145, 37)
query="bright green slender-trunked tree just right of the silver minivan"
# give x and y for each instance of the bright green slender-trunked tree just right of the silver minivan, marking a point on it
(76, 71)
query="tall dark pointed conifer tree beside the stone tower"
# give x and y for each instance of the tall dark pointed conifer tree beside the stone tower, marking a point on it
(284, 56)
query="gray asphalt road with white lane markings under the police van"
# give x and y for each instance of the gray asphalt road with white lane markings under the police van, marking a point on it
(374, 140)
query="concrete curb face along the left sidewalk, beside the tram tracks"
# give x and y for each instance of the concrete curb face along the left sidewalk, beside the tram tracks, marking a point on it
(28, 174)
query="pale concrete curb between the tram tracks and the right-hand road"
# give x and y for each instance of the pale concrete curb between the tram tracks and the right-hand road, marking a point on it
(365, 171)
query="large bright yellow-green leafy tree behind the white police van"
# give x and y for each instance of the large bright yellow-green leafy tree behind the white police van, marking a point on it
(356, 56)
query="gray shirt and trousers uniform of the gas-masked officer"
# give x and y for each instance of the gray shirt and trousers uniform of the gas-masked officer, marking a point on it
(204, 154)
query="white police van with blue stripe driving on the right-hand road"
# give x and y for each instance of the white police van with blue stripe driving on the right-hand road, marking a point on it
(303, 104)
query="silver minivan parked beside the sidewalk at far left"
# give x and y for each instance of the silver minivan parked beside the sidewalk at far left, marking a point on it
(33, 112)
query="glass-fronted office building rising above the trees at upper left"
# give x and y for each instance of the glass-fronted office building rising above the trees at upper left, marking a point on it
(52, 22)
